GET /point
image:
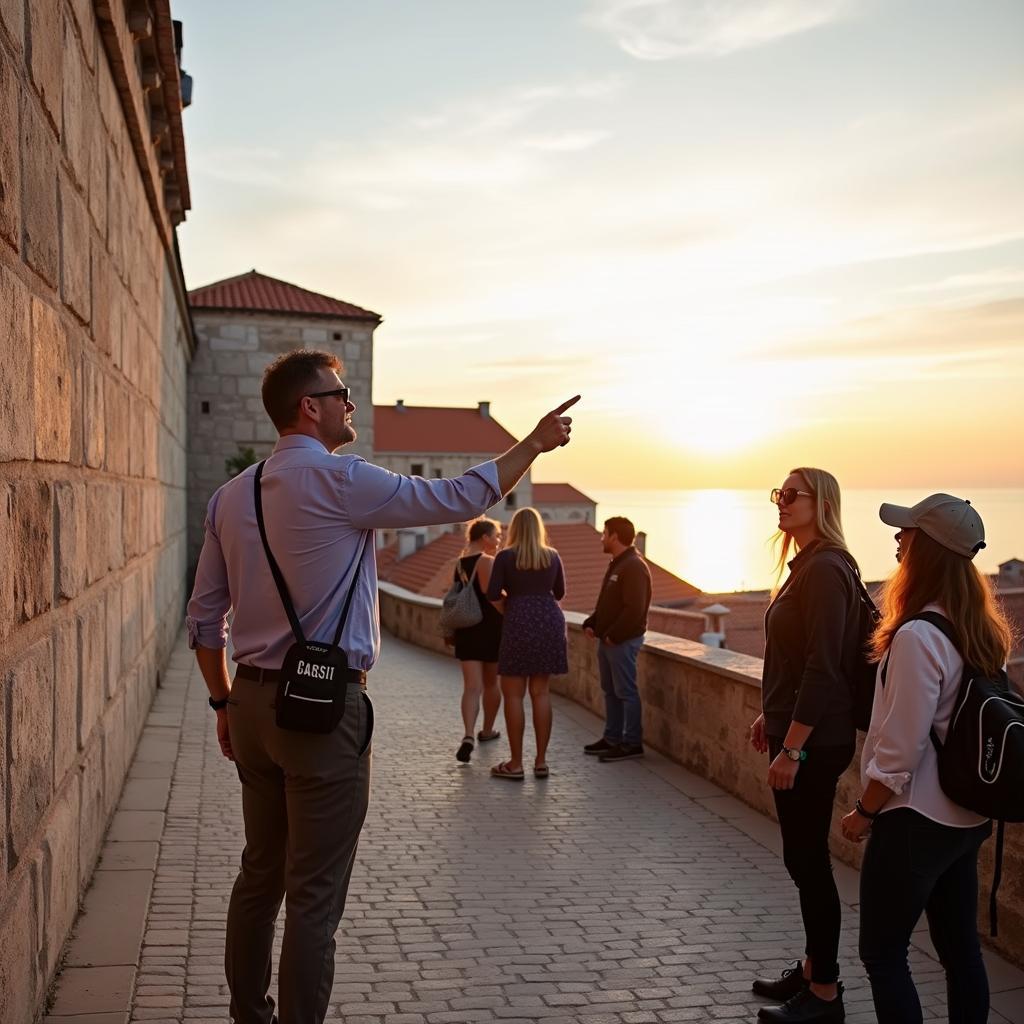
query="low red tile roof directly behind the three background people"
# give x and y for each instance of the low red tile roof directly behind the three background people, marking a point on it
(429, 571)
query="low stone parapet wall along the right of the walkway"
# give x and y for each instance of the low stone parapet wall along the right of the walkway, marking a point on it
(699, 703)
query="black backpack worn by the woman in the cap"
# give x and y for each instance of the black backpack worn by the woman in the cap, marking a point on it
(982, 763)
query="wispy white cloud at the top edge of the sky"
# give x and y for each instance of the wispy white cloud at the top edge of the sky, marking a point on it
(661, 30)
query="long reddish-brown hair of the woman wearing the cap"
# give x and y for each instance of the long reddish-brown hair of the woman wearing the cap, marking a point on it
(930, 574)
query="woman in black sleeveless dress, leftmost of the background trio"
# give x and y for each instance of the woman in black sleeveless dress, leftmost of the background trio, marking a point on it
(477, 647)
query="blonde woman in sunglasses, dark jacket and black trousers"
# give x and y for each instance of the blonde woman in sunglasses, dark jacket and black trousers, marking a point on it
(812, 634)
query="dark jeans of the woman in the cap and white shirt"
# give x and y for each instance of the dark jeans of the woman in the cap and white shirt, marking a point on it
(915, 866)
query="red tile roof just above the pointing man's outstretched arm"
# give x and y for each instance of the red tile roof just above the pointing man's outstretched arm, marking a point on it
(426, 429)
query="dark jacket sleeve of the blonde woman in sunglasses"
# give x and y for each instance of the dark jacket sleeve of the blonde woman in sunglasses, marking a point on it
(824, 601)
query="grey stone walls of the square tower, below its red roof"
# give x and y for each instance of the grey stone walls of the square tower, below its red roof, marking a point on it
(226, 412)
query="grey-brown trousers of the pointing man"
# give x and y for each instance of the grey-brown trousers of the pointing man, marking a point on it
(304, 800)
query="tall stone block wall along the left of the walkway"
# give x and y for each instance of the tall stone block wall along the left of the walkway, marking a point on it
(94, 351)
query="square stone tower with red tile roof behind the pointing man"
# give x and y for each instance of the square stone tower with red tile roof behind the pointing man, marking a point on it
(243, 325)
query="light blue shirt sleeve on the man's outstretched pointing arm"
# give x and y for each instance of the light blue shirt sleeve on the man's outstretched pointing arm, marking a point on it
(376, 498)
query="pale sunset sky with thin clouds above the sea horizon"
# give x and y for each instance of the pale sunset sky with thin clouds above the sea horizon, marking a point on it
(754, 234)
